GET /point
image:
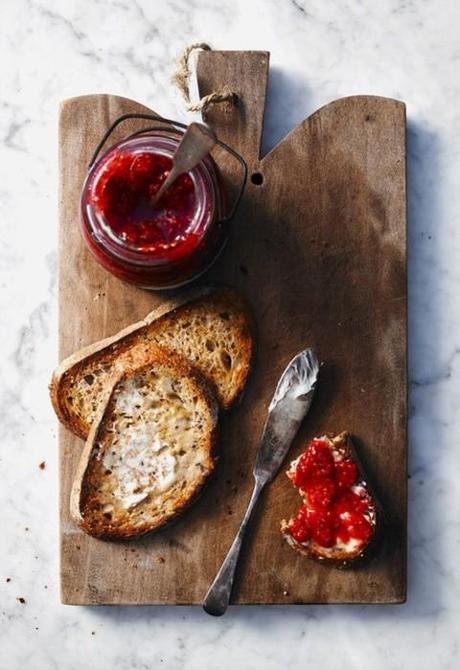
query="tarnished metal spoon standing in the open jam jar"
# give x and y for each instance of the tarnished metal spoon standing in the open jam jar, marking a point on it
(197, 142)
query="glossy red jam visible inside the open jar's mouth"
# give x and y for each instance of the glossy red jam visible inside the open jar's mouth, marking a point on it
(122, 197)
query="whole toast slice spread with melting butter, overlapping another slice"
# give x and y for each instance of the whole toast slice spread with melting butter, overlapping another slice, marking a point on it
(150, 449)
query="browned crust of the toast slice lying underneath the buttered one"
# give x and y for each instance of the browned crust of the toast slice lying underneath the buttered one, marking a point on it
(124, 338)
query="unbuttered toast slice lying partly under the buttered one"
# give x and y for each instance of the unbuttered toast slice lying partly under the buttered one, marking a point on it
(210, 327)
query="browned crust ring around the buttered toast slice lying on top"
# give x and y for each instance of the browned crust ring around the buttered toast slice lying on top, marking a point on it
(160, 357)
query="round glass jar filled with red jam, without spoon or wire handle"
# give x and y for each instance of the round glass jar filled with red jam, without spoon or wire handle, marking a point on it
(153, 246)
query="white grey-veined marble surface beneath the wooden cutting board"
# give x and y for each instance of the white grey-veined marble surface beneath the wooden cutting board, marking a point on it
(320, 50)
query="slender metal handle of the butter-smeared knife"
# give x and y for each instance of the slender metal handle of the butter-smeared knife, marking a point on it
(217, 598)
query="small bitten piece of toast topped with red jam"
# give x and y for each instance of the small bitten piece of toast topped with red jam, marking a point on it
(332, 506)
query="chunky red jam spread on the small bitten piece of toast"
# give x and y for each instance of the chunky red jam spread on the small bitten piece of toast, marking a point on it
(333, 513)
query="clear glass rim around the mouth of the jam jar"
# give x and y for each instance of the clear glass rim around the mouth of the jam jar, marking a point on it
(203, 177)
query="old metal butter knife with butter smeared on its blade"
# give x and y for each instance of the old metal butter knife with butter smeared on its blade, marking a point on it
(290, 404)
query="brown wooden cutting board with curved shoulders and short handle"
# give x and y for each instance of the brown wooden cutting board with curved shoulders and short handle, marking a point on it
(319, 249)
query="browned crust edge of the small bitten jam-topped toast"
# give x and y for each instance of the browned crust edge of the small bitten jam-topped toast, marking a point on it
(342, 559)
